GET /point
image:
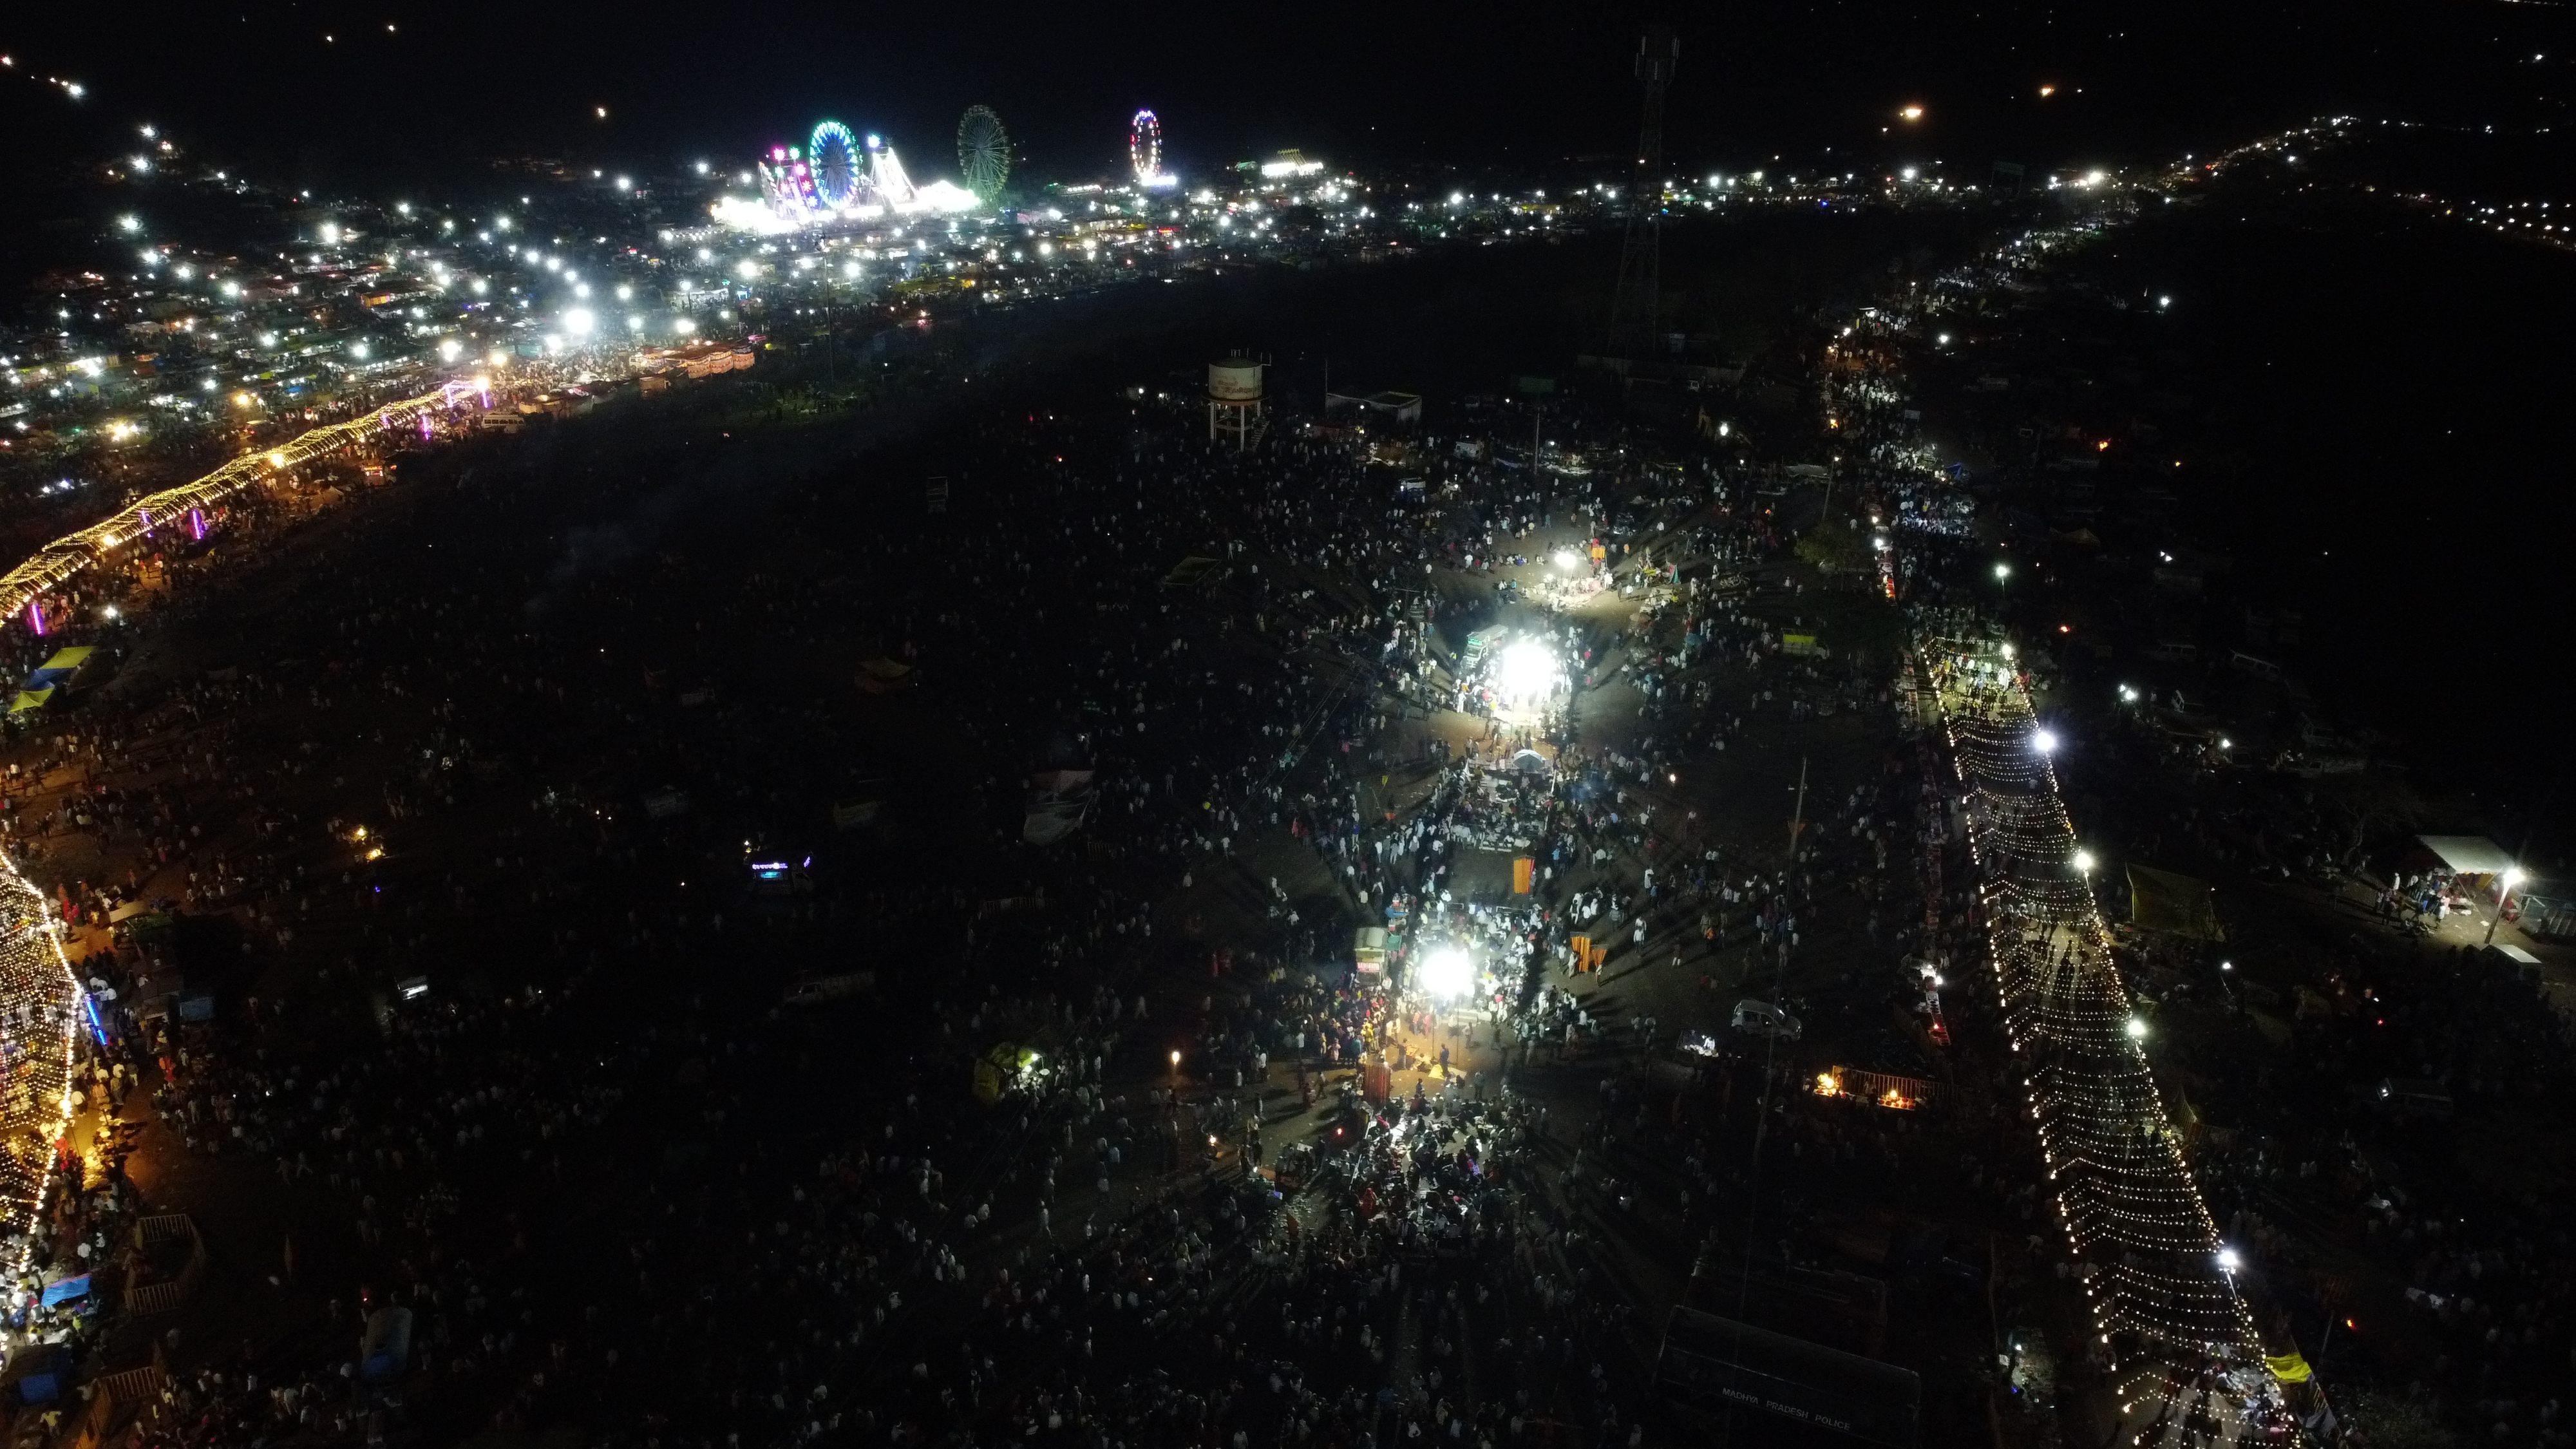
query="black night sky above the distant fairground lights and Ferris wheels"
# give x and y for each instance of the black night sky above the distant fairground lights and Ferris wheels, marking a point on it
(1369, 86)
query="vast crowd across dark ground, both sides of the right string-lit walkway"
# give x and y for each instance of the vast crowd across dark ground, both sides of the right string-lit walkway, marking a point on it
(527, 896)
